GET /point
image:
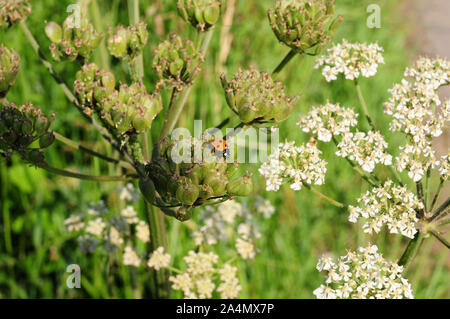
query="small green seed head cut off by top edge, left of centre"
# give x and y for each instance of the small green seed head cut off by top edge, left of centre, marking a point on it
(202, 14)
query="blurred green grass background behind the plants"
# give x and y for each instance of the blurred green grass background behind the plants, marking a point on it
(35, 248)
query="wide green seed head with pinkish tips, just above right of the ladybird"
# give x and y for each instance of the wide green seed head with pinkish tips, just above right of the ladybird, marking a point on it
(256, 98)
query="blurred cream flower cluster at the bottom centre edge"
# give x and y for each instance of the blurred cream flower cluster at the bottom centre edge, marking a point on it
(198, 279)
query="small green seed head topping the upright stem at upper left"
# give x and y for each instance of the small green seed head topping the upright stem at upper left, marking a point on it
(127, 43)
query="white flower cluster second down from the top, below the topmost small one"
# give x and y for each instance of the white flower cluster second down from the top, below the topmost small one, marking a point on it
(328, 120)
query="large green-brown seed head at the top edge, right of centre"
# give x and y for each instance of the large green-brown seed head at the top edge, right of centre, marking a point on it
(304, 25)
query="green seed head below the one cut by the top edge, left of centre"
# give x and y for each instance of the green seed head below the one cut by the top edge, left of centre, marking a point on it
(177, 62)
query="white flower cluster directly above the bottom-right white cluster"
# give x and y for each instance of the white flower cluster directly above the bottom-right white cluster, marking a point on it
(389, 204)
